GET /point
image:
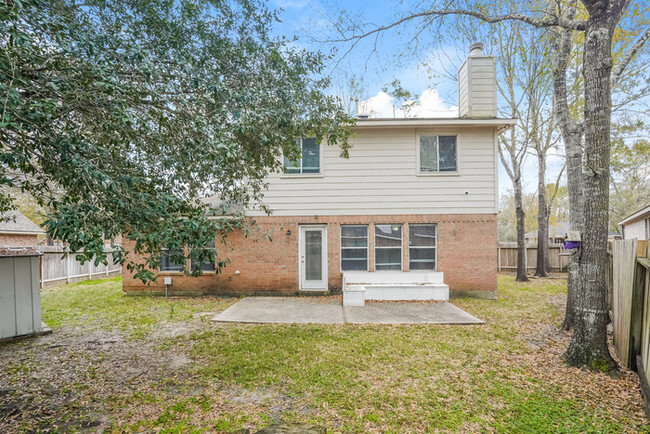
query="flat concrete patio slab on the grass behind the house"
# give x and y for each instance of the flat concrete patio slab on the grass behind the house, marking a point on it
(305, 310)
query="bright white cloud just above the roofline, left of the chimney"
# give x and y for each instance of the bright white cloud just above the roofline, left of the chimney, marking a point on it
(429, 105)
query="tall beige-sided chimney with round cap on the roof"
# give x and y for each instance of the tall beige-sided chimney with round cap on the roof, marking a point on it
(477, 86)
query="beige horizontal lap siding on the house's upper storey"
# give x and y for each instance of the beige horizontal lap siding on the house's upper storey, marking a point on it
(381, 177)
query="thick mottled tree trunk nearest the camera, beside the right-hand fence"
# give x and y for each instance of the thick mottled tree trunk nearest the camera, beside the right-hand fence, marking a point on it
(588, 345)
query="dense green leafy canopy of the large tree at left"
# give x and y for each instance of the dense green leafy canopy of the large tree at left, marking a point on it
(118, 116)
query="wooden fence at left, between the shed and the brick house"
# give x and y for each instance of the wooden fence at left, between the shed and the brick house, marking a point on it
(59, 266)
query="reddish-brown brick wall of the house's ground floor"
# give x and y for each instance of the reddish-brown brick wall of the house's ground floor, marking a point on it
(466, 254)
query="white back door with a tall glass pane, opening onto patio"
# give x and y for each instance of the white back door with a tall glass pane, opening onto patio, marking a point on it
(313, 258)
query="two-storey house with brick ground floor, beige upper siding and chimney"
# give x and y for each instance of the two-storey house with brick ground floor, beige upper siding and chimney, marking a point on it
(415, 194)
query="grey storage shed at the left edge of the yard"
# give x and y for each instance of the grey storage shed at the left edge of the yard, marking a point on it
(20, 293)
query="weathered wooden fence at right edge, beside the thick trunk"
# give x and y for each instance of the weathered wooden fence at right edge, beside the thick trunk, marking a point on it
(629, 304)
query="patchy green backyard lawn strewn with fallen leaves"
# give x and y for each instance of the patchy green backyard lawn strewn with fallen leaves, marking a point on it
(134, 364)
